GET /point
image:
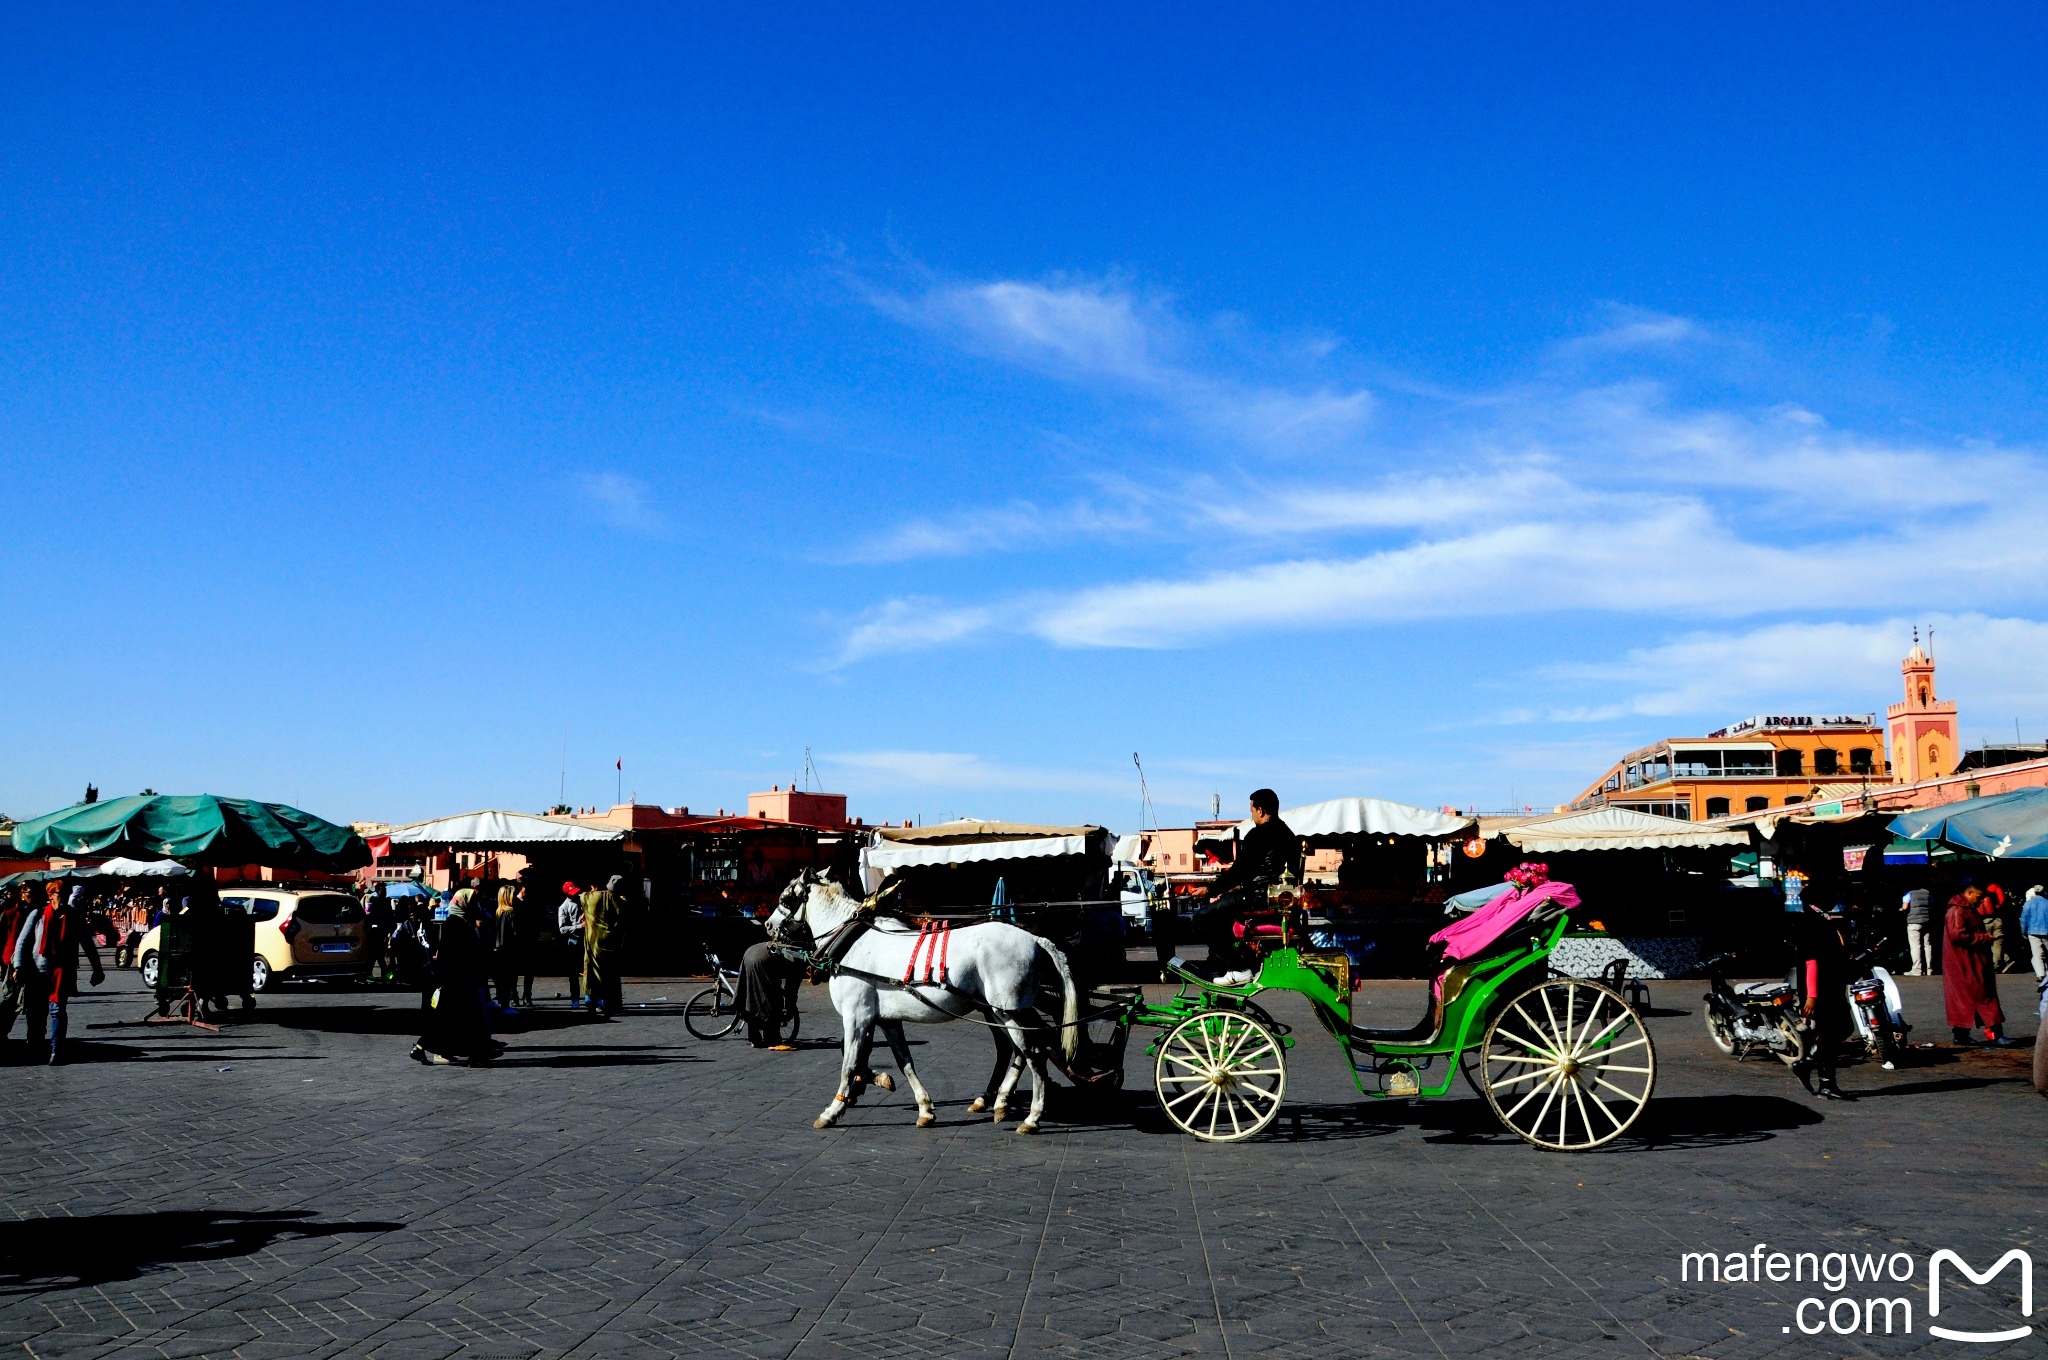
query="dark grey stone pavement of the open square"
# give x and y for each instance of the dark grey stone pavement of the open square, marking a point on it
(294, 1187)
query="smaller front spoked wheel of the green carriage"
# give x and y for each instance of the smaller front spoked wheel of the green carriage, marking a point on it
(1222, 1076)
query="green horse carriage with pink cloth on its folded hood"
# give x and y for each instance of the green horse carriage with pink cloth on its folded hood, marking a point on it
(1566, 1064)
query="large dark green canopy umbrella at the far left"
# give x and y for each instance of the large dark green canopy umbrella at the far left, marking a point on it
(200, 828)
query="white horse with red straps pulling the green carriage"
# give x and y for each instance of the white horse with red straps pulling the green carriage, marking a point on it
(988, 968)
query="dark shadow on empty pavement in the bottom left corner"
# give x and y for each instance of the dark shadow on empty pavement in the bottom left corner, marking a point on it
(46, 1255)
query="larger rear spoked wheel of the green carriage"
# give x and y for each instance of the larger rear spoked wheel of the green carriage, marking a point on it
(1568, 1066)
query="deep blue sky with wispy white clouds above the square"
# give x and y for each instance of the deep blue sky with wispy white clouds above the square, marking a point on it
(1349, 400)
